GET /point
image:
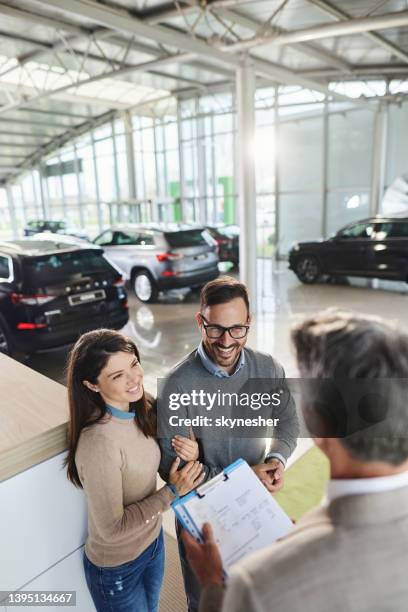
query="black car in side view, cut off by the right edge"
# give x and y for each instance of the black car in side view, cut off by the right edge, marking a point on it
(376, 247)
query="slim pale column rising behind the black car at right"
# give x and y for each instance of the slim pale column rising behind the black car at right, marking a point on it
(378, 162)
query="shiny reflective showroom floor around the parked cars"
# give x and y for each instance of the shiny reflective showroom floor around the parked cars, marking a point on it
(166, 331)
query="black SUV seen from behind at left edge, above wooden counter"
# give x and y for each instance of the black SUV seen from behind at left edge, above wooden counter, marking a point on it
(51, 292)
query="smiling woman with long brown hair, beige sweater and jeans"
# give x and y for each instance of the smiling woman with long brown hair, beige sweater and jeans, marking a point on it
(114, 457)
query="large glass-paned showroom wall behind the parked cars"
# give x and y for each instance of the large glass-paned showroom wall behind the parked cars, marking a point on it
(313, 159)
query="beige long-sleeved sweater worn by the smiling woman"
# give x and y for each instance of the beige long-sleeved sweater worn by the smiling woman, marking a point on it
(118, 466)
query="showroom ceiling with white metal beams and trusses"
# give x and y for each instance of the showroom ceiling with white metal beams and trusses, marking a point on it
(68, 65)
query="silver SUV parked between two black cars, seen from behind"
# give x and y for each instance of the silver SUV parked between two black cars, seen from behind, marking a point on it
(156, 258)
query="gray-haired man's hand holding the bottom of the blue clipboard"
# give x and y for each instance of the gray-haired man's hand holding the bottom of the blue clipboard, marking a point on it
(205, 559)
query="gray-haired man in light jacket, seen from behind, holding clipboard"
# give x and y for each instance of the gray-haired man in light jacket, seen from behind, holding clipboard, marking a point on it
(351, 553)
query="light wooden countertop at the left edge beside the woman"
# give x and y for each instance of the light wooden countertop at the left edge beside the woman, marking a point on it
(33, 416)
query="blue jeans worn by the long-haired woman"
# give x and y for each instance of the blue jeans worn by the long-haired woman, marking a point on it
(130, 587)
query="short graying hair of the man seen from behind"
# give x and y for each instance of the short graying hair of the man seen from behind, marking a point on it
(367, 358)
